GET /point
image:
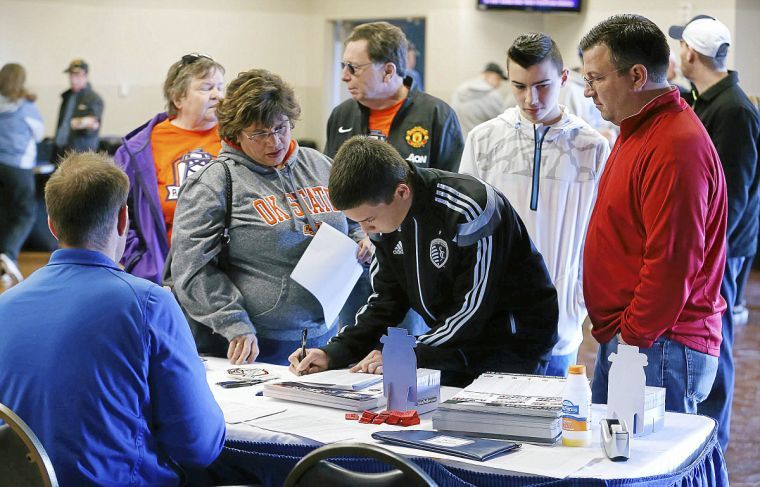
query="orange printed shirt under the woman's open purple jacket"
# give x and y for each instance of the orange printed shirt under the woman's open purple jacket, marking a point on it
(177, 153)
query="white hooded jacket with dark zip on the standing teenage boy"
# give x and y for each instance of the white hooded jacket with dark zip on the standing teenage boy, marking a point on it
(555, 202)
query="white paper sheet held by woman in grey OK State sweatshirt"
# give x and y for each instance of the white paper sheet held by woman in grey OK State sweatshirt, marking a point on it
(329, 269)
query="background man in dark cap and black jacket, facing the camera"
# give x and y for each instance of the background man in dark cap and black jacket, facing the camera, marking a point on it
(81, 112)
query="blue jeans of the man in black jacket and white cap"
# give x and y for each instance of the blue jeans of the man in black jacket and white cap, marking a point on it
(718, 403)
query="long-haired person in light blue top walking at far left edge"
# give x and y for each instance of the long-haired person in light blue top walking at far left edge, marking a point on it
(21, 127)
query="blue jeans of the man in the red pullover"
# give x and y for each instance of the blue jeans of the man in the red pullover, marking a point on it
(686, 375)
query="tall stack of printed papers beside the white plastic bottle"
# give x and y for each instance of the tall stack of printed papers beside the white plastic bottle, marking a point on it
(509, 406)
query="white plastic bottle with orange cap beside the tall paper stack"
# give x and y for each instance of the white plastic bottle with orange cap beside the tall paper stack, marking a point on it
(576, 408)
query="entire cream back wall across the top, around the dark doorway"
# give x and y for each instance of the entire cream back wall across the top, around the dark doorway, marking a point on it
(132, 43)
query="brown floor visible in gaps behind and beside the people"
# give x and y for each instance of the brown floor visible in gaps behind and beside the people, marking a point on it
(743, 457)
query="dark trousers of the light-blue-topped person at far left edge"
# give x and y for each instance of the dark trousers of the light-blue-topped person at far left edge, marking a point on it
(17, 208)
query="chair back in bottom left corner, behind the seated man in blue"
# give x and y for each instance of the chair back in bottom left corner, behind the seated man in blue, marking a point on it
(23, 460)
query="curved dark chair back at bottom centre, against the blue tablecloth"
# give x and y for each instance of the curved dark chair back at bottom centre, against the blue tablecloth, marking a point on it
(314, 469)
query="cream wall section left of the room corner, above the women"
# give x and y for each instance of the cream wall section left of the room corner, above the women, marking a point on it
(134, 43)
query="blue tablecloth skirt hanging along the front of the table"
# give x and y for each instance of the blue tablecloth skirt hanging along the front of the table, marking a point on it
(270, 463)
